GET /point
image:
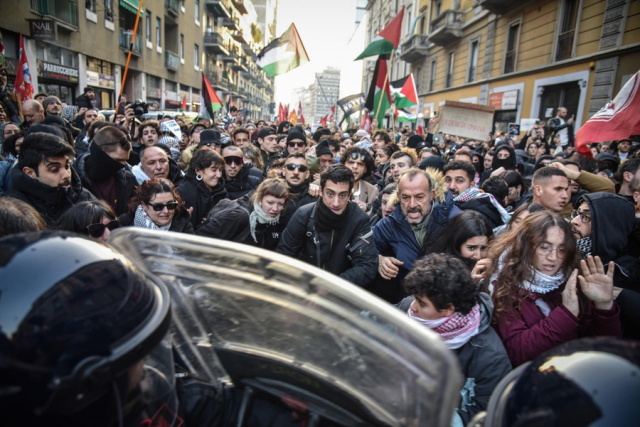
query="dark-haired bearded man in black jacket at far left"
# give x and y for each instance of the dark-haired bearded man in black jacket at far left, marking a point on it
(44, 178)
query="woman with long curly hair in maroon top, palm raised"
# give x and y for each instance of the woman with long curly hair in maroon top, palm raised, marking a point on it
(534, 287)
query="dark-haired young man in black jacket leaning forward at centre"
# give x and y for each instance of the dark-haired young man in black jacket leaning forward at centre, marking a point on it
(332, 233)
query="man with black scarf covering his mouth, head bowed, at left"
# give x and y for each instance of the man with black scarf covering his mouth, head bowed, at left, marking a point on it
(104, 170)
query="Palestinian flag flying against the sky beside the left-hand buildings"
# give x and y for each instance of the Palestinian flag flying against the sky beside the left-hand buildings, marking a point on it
(283, 54)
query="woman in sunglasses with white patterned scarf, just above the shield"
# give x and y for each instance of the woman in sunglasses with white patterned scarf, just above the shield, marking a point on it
(157, 206)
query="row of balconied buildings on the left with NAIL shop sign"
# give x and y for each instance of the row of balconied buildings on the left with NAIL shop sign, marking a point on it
(166, 48)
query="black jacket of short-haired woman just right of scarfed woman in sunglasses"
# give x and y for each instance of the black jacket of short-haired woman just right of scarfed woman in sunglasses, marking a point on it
(196, 195)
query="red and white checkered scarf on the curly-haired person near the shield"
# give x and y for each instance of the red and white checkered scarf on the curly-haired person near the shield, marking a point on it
(455, 330)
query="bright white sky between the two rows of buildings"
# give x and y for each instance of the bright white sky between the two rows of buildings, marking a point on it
(329, 34)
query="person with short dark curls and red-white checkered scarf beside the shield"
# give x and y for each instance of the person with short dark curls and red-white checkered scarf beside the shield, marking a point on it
(445, 299)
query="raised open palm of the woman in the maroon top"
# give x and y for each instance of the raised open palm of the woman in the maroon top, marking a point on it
(595, 283)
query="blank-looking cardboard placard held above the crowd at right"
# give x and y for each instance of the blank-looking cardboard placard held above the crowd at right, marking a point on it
(466, 120)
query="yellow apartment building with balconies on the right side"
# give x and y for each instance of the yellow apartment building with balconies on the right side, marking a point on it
(524, 58)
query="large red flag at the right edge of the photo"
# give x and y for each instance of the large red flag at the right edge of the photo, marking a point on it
(618, 119)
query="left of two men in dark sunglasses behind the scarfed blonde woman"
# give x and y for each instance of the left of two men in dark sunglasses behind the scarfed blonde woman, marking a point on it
(240, 178)
